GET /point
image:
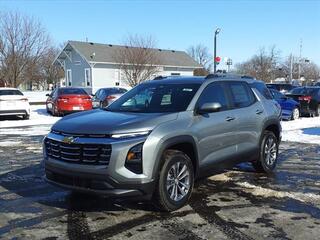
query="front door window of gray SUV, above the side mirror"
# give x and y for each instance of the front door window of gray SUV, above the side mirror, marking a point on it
(214, 92)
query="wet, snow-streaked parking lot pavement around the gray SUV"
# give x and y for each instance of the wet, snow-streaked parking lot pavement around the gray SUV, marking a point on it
(235, 204)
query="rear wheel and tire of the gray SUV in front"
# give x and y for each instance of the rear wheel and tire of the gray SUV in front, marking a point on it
(267, 158)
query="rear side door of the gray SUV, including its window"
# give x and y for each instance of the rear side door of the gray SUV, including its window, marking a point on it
(250, 115)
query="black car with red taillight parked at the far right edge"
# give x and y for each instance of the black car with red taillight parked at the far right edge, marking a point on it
(309, 99)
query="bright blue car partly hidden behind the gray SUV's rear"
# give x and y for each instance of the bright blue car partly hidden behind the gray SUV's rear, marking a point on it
(290, 108)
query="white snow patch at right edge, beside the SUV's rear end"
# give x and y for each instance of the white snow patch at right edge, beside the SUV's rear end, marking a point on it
(306, 130)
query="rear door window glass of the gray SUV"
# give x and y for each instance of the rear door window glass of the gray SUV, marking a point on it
(241, 95)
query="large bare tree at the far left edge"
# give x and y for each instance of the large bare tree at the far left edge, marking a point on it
(23, 41)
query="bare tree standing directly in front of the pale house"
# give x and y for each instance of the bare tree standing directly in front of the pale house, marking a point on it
(138, 60)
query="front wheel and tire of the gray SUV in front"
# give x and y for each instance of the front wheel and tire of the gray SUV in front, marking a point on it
(166, 196)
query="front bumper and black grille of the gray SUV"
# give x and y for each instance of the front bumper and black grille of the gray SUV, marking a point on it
(110, 178)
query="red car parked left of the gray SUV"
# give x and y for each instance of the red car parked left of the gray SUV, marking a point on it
(67, 100)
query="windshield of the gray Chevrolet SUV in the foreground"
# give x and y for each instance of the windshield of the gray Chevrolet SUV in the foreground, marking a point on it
(156, 98)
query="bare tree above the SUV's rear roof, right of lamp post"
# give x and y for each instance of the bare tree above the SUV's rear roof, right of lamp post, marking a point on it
(263, 65)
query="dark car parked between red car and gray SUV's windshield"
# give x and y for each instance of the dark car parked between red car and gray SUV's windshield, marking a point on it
(105, 96)
